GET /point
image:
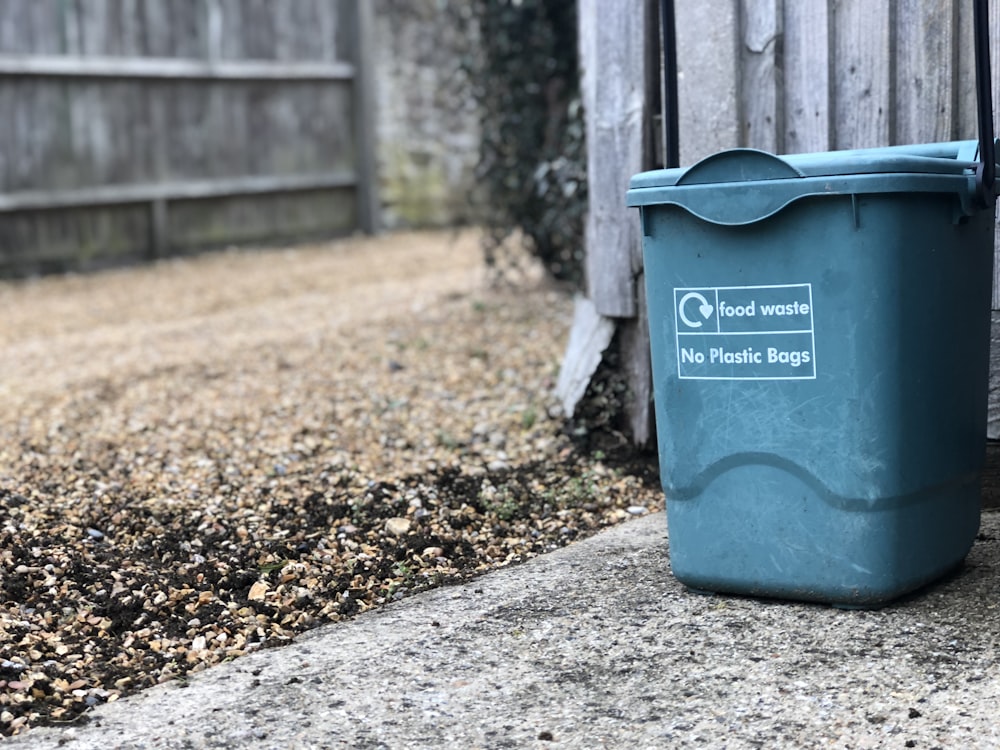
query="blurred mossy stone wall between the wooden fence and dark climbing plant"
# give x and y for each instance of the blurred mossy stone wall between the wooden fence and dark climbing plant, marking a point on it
(427, 133)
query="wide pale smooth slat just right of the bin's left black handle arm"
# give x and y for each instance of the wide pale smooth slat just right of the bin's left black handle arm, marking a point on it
(707, 54)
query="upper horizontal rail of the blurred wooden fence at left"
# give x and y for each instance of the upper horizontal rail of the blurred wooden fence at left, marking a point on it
(76, 66)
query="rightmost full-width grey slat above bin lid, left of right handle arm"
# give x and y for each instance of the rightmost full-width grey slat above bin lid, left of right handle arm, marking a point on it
(926, 95)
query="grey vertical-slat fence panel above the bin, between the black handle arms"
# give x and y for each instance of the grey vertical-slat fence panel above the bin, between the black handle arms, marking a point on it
(811, 75)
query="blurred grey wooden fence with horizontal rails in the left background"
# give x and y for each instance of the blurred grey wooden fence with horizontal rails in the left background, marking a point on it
(134, 129)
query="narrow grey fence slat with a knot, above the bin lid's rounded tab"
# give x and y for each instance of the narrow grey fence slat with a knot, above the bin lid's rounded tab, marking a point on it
(761, 98)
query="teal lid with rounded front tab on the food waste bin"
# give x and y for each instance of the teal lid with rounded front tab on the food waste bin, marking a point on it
(716, 188)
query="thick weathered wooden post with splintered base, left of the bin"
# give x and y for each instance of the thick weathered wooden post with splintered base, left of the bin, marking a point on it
(620, 74)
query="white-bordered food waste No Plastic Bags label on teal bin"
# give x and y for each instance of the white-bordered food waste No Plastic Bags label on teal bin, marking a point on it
(745, 332)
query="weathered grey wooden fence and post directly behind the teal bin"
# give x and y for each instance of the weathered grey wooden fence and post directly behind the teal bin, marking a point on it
(785, 76)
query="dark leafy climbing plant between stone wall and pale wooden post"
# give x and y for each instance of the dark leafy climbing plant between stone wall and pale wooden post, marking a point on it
(524, 75)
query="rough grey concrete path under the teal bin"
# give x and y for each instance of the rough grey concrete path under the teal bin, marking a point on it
(597, 646)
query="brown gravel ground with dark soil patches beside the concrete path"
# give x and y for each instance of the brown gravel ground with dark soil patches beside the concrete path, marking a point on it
(205, 457)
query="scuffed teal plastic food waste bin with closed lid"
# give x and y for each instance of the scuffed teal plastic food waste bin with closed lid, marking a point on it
(820, 330)
